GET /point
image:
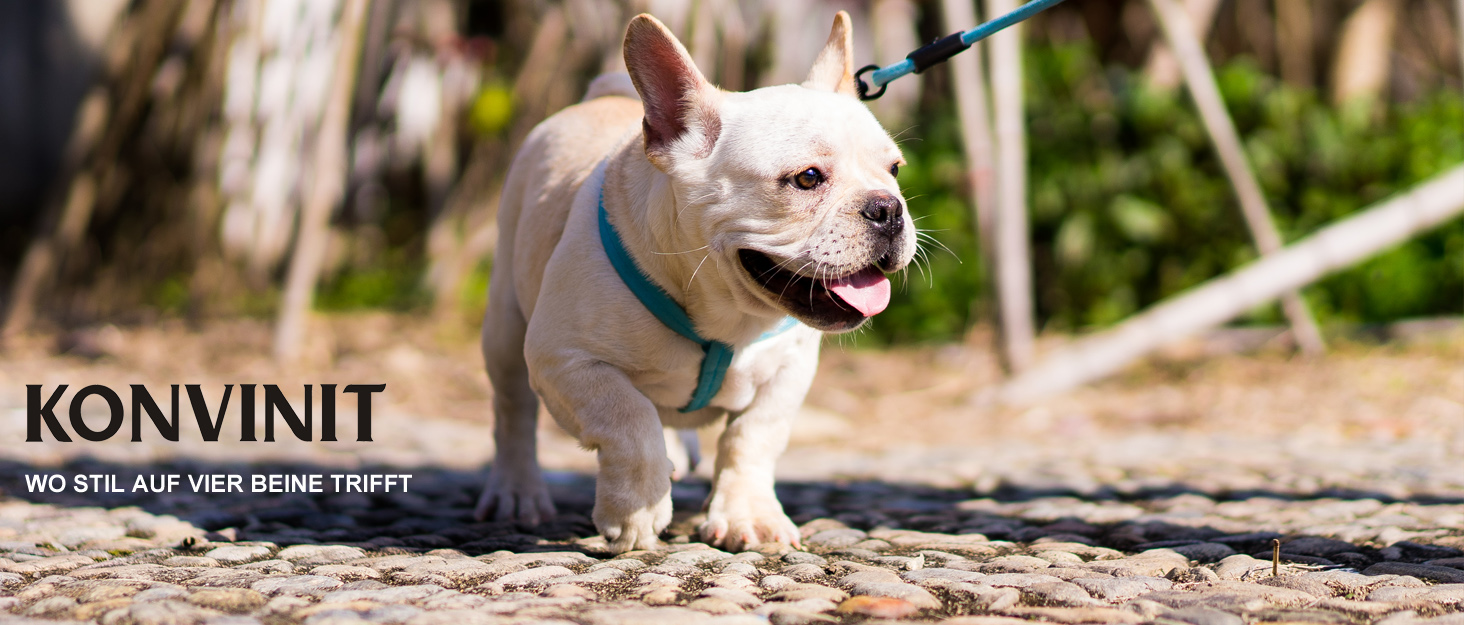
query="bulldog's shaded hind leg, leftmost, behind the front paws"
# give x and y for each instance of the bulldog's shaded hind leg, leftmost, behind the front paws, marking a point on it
(516, 488)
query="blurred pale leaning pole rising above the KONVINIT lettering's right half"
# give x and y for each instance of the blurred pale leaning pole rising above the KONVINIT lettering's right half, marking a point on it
(326, 190)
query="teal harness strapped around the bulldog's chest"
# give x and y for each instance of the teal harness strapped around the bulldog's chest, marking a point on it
(717, 355)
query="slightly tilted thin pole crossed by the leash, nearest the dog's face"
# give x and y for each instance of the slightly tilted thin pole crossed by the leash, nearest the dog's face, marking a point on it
(976, 134)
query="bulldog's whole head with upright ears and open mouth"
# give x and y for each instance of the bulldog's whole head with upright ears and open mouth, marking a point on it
(791, 188)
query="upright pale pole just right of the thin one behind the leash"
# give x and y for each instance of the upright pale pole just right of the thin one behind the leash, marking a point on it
(1014, 257)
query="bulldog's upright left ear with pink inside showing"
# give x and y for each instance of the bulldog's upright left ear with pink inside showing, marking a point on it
(681, 106)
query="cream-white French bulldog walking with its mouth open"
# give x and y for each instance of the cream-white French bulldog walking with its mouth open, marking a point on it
(744, 209)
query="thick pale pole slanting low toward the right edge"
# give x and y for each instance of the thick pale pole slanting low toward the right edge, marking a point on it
(1337, 247)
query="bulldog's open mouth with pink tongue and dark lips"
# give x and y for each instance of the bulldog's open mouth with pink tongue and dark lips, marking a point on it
(837, 304)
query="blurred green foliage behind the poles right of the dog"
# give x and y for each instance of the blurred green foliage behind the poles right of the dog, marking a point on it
(1129, 204)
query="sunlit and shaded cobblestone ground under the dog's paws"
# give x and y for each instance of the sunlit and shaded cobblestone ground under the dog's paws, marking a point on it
(875, 553)
